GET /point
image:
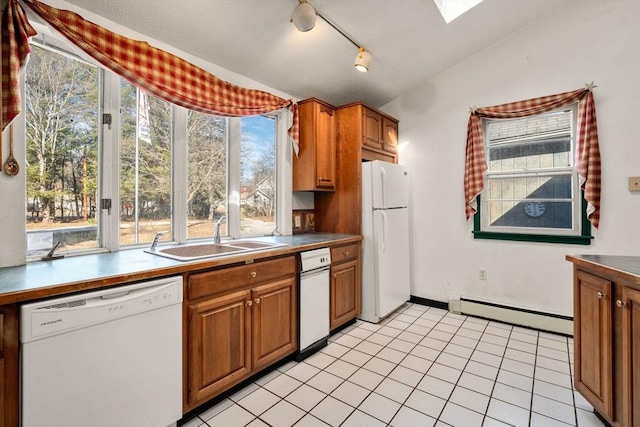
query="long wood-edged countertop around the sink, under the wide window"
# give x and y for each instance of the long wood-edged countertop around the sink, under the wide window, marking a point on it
(72, 274)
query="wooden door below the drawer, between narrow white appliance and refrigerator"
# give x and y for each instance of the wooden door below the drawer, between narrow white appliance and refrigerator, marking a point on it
(345, 293)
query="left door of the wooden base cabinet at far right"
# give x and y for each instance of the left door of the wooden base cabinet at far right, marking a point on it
(593, 341)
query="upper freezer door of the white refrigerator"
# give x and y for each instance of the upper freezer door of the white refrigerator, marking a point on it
(390, 185)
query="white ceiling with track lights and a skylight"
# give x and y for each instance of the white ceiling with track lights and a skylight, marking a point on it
(408, 39)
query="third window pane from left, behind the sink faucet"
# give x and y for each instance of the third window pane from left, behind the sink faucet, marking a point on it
(207, 174)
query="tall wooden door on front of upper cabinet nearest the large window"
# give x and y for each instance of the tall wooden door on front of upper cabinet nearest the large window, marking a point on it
(325, 148)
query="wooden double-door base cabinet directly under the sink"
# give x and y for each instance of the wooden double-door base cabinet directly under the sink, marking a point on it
(240, 320)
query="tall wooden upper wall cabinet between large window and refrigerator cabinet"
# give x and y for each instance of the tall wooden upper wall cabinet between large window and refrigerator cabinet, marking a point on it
(314, 169)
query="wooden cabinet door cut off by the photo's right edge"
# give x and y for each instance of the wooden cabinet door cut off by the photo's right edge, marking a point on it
(630, 303)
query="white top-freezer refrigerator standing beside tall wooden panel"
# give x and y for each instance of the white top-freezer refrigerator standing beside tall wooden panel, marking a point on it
(385, 227)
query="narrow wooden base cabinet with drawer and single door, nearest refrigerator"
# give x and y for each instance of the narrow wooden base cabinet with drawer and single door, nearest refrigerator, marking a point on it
(345, 289)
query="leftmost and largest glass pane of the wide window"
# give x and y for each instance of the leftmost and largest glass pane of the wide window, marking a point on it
(61, 152)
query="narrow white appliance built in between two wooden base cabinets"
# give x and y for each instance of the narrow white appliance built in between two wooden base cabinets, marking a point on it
(314, 300)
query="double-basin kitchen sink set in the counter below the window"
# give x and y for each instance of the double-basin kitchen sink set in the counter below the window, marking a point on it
(196, 251)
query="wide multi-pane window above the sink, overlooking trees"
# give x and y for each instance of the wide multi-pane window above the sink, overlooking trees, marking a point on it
(178, 171)
